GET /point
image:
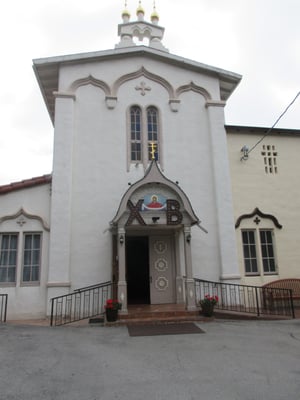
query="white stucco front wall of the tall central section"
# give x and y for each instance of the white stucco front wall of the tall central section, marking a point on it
(90, 165)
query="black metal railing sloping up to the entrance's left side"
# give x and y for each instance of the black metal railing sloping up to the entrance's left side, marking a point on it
(83, 303)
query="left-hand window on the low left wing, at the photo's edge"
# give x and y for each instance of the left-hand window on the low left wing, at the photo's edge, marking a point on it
(8, 257)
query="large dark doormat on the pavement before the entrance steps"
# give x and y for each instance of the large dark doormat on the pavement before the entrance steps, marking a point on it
(184, 328)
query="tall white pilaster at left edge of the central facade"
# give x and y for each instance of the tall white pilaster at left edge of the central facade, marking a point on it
(61, 198)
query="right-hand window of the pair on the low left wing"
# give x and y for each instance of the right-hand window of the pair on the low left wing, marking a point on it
(31, 257)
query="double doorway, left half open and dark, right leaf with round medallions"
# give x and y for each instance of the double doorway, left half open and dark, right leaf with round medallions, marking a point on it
(150, 269)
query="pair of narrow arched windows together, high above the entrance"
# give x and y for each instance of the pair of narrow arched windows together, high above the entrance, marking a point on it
(144, 135)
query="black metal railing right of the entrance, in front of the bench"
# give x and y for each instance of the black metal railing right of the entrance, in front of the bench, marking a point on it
(247, 299)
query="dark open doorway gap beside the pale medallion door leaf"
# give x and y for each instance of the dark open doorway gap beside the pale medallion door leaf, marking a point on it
(137, 270)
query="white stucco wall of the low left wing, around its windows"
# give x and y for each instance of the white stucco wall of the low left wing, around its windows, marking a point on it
(26, 300)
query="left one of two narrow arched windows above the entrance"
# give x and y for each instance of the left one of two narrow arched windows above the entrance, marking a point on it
(135, 134)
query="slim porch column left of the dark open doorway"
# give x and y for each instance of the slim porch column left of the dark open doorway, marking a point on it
(122, 284)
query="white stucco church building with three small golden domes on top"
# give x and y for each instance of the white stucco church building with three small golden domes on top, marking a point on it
(149, 187)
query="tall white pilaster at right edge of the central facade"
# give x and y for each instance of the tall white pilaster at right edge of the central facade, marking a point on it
(229, 269)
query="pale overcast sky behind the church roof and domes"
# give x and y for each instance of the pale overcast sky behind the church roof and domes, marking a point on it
(259, 39)
